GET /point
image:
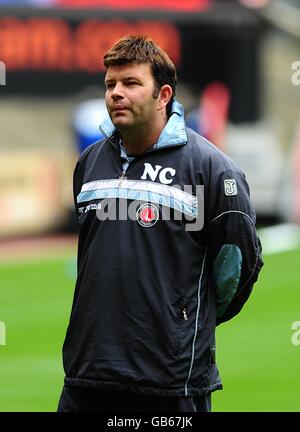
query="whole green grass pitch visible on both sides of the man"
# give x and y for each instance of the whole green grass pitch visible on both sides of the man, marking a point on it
(258, 363)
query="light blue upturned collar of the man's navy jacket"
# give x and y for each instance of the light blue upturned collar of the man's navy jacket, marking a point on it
(174, 133)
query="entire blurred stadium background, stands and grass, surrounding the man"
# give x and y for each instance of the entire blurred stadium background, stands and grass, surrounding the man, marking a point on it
(239, 81)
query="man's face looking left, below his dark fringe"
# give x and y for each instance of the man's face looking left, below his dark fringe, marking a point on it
(129, 96)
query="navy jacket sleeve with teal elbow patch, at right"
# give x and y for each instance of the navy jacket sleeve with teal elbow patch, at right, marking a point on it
(234, 249)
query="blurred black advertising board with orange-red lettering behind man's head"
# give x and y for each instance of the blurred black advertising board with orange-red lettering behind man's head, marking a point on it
(60, 51)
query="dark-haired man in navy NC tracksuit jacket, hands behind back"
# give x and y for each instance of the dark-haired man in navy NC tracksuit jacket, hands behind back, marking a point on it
(154, 282)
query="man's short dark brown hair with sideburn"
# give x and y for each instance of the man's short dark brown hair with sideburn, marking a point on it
(141, 49)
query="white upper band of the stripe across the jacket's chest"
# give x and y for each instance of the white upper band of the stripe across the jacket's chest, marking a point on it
(170, 191)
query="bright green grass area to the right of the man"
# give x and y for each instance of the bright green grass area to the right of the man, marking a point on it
(258, 362)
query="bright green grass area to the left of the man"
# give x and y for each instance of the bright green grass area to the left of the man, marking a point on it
(35, 302)
